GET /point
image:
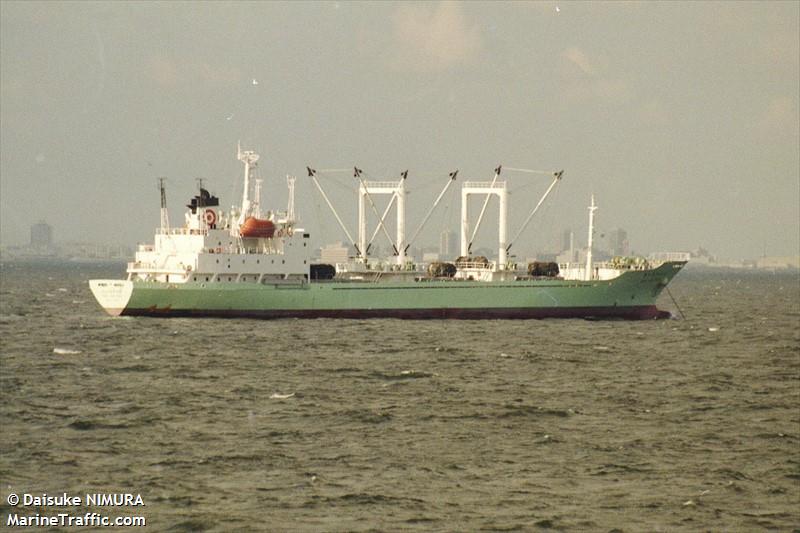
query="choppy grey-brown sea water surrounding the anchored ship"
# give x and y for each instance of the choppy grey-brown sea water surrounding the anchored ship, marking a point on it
(357, 425)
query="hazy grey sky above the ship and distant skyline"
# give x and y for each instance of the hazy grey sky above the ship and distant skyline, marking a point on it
(682, 117)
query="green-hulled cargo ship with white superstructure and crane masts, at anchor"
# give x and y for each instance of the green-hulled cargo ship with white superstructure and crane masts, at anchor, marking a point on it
(249, 263)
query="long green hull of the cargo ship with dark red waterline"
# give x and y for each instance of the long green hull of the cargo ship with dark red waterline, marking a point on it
(632, 295)
